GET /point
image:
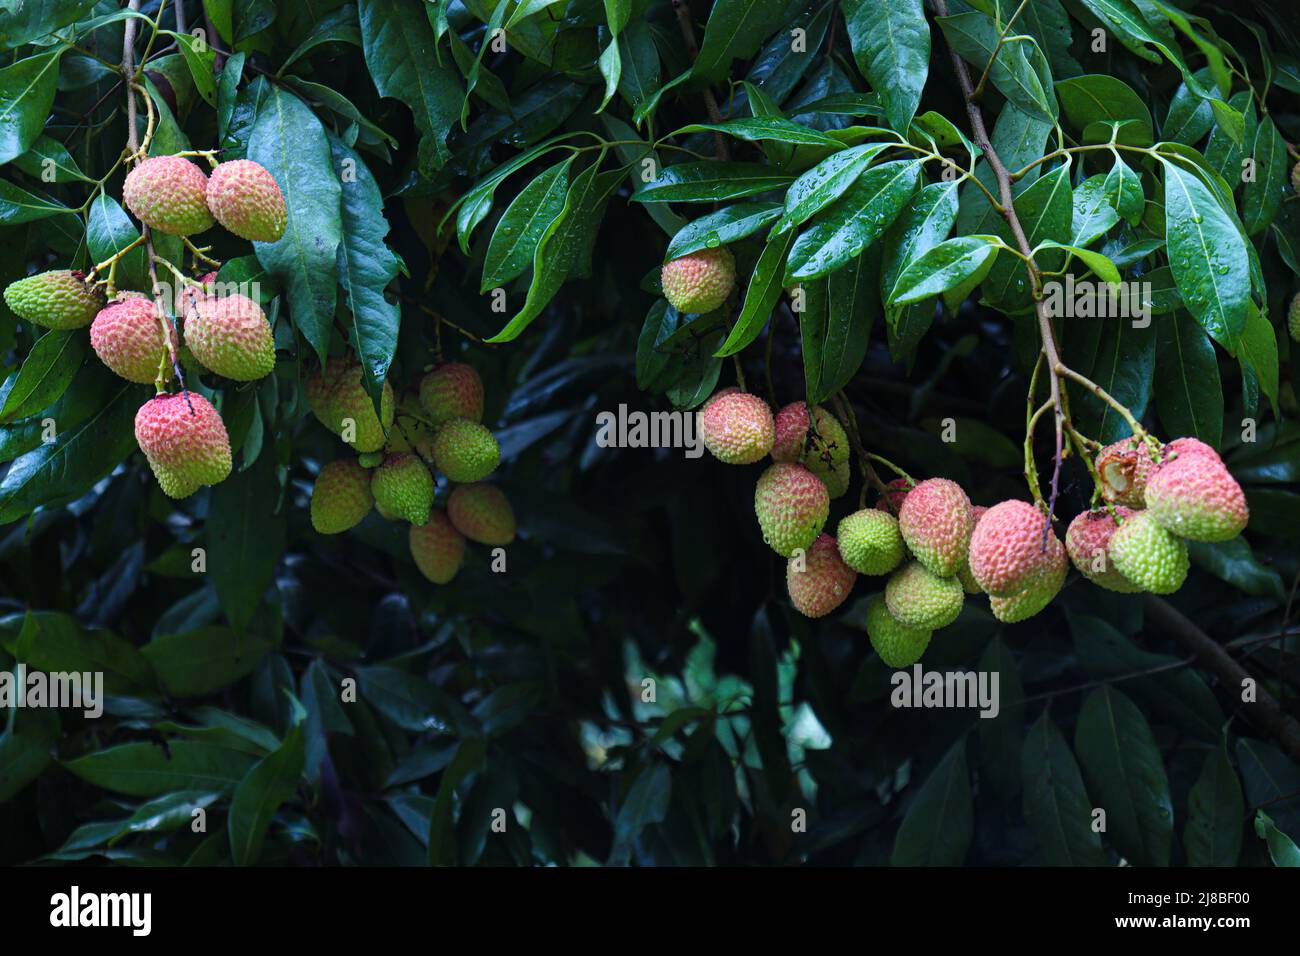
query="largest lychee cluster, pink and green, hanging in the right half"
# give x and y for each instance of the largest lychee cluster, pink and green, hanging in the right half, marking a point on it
(937, 547)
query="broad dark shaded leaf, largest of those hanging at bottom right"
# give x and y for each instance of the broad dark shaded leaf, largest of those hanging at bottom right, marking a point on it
(1126, 776)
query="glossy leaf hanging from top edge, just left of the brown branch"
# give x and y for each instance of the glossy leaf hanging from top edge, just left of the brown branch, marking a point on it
(891, 45)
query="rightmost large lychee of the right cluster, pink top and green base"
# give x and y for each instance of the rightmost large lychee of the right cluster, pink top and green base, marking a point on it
(1195, 496)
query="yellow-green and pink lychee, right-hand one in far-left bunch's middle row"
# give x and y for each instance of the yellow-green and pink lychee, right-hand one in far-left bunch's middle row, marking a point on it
(231, 336)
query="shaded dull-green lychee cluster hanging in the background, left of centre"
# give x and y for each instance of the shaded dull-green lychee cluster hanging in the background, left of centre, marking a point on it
(436, 429)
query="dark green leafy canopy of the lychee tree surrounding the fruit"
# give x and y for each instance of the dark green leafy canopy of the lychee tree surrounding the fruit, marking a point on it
(500, 184)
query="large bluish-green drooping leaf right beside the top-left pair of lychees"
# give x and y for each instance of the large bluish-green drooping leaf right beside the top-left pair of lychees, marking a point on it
(291, 142)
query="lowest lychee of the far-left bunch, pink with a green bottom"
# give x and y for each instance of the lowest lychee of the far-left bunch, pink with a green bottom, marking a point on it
(185, 442)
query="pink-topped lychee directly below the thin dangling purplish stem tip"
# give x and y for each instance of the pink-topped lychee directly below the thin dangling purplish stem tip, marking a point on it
(1008, 553)
